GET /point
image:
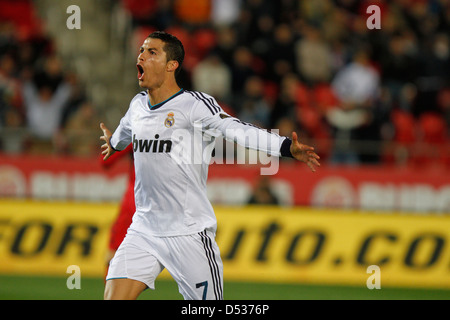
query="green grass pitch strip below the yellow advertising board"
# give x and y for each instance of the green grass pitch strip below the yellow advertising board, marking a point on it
(54, 288)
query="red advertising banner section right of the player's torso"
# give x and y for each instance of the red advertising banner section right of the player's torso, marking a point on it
(374, 188)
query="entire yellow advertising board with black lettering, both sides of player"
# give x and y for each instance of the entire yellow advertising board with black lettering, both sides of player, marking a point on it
(270, 244)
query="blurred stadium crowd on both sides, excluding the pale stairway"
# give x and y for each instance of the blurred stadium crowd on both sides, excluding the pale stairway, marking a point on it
(358, 95)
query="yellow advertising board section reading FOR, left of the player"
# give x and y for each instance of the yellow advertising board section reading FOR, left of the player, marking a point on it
(47, 237)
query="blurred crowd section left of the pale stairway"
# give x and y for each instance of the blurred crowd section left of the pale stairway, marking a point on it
(42, 105)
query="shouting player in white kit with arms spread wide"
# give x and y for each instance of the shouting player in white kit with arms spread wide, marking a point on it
(174, 224)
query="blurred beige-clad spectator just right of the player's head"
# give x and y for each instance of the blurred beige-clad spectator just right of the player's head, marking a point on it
(212, 76)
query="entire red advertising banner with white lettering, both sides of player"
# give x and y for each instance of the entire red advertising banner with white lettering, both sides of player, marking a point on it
(373, 188)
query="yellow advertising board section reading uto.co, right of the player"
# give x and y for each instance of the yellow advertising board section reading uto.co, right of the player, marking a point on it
(334, 246)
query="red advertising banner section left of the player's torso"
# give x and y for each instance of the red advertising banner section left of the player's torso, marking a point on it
(62, 178)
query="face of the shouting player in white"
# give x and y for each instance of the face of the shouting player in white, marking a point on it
(151, 63)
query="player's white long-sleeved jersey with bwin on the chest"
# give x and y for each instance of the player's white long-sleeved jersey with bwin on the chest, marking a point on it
(173, 144)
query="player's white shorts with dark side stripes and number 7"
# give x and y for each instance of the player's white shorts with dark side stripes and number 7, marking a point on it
(193, 261)
